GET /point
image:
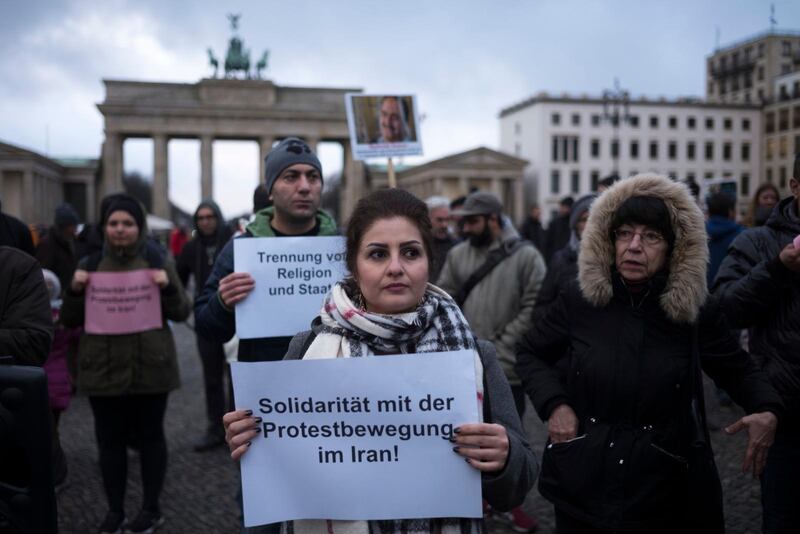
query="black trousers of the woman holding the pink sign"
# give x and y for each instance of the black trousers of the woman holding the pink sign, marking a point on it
(137, 420)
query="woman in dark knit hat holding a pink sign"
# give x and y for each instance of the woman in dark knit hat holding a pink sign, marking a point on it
(127, 369)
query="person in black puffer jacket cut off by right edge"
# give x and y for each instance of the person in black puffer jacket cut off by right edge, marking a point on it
(758, 285)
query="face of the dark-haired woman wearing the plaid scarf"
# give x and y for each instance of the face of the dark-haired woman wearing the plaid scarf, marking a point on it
(391, 266)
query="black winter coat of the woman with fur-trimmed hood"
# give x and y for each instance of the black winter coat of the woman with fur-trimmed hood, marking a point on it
(628, 383)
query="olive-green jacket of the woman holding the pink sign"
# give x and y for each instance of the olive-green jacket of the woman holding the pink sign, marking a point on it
(141, 363)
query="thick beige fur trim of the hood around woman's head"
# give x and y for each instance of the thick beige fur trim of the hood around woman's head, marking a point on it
(685, 290)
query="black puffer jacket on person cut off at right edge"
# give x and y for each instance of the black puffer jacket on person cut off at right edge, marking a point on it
(758, 292)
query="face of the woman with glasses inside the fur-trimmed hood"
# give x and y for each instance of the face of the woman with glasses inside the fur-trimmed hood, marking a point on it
(641, 252)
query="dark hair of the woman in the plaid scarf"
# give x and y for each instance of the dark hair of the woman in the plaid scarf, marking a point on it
(386, 204)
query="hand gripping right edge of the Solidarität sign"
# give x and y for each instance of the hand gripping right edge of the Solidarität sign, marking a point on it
(484, 446)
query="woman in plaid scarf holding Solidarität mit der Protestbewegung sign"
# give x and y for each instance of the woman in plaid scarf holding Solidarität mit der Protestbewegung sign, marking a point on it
(387, 306)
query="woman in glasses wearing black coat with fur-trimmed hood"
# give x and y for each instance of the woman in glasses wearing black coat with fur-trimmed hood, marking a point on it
(618, 420)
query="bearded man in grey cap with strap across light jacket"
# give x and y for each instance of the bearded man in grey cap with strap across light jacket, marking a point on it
(495, 277)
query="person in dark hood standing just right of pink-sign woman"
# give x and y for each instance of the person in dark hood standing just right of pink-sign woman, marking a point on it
(197, 259)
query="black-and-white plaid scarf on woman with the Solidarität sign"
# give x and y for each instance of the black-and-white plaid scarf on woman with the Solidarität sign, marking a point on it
(437, 325)
